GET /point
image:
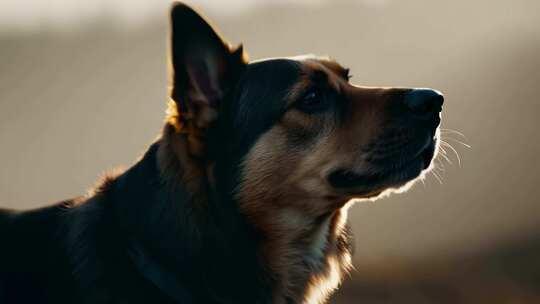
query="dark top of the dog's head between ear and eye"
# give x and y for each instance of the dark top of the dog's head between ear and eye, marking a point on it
(268, 87)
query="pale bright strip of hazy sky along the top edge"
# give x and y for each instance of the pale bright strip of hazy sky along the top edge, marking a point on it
(17, 15)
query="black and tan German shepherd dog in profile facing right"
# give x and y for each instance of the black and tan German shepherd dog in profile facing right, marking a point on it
(242, 199)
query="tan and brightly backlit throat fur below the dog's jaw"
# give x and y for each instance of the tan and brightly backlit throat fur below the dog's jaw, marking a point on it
(306, 257)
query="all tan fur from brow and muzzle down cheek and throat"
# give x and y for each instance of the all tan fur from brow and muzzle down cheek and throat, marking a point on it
(285, 194)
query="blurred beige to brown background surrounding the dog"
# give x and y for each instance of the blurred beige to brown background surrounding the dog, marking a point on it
(83, 89)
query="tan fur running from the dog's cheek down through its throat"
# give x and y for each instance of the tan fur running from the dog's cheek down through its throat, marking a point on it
(281, 193)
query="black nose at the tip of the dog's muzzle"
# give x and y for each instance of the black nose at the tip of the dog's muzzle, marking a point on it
(423, 103)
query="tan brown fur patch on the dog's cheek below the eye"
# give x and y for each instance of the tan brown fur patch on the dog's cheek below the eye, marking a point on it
(281, 171)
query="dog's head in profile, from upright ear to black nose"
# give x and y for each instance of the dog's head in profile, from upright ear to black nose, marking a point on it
(294, 133)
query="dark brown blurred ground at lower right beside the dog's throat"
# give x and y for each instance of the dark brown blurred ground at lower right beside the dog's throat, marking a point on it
(507, 273)
